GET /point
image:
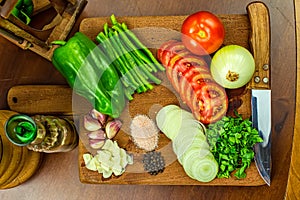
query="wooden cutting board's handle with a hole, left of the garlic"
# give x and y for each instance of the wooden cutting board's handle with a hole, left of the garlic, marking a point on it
(44, 99)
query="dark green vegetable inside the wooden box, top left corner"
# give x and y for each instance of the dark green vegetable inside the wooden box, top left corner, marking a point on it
(23, 10)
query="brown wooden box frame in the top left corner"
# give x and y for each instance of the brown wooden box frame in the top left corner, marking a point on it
(38, 39)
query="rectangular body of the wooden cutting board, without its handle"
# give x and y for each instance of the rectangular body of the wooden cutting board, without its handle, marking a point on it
(152, 31)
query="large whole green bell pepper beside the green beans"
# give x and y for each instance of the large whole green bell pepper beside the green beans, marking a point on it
(87, 70)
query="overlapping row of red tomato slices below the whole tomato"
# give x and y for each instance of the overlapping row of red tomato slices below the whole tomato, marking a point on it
(191, 78)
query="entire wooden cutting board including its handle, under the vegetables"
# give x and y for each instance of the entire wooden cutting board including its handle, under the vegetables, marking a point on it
(59, 99)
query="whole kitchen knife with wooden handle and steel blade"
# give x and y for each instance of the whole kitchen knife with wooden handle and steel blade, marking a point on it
(261, 87)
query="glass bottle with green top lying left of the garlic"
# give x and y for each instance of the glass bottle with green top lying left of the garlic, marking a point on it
(40, 133)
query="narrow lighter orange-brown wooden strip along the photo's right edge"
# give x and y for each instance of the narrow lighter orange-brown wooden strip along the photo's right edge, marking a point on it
(293, 191)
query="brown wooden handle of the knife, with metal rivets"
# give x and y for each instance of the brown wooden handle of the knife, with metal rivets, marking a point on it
(260, 44)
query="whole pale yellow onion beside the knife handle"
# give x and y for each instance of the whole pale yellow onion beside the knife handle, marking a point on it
(232, 66)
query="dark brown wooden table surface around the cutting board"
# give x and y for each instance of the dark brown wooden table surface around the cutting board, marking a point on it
(58, 177)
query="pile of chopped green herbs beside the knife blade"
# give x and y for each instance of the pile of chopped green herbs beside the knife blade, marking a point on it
(231, 141)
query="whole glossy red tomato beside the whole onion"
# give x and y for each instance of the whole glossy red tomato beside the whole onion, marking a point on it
(202, 33)
